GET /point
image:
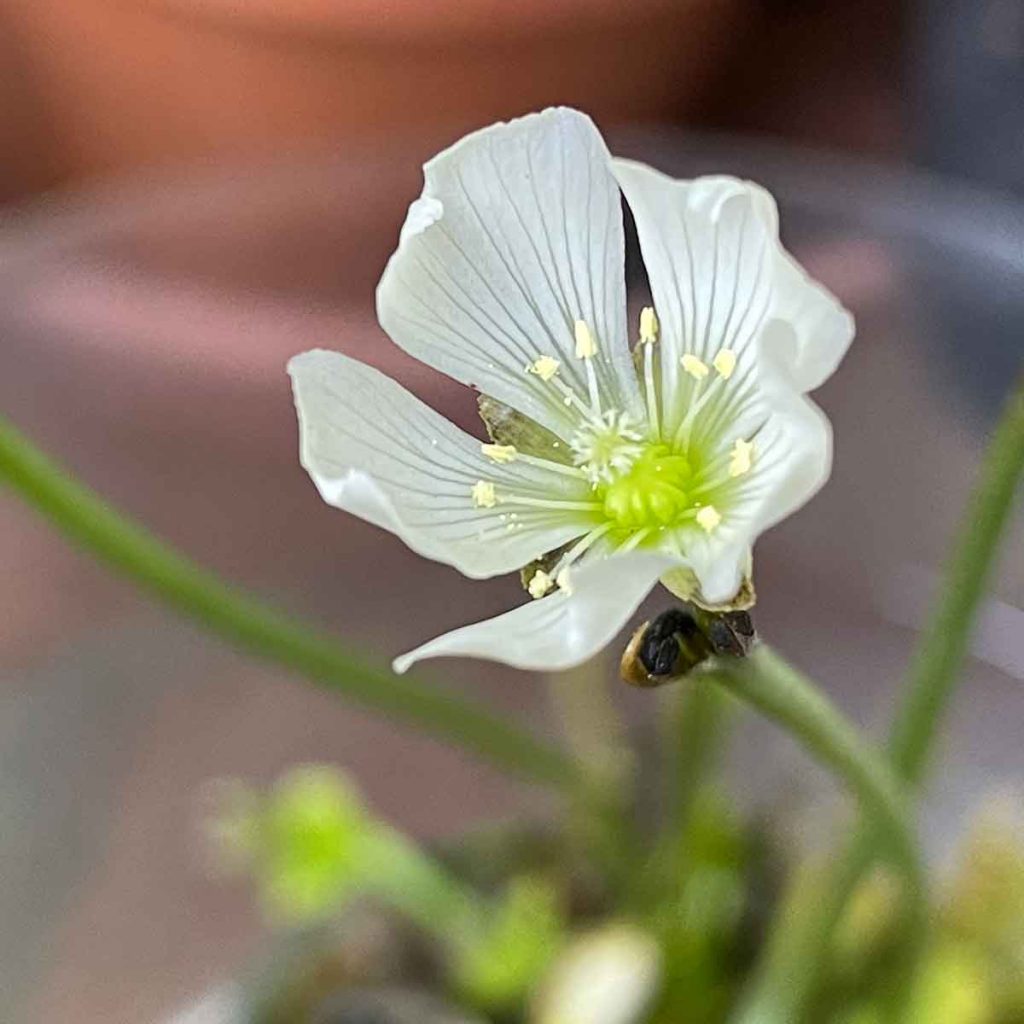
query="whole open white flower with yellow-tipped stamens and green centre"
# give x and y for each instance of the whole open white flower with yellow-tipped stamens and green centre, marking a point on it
(621, 466)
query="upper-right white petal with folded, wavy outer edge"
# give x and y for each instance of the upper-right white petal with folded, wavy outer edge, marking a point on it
(720, 276)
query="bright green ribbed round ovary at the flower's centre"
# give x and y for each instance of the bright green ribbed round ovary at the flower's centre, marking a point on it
(653, 494)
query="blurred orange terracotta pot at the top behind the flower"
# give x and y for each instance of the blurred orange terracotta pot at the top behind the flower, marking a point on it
(133, 82)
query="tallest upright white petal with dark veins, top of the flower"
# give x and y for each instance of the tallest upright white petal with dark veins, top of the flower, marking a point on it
(519, 234)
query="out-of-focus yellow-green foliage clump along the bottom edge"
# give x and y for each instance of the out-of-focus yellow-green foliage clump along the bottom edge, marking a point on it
(513, 928)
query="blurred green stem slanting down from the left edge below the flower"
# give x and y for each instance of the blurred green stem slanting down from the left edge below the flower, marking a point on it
(124, 546)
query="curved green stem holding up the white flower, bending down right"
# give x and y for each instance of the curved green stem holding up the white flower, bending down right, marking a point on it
(776, 689)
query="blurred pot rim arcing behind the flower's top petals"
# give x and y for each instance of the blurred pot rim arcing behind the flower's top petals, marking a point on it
(895, 199)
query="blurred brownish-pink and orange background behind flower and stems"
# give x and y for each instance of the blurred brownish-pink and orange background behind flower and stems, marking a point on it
(193, 191)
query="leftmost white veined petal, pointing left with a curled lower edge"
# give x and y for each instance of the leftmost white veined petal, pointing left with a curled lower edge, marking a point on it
(379, 453)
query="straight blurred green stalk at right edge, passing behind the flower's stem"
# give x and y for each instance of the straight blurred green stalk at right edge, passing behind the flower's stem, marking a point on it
(797, 954)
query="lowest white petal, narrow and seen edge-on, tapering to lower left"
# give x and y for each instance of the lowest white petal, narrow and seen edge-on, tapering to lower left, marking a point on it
(559, 631)
